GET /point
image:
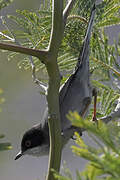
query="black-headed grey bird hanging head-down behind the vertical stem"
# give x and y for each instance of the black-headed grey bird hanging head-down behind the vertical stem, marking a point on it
(73, 96)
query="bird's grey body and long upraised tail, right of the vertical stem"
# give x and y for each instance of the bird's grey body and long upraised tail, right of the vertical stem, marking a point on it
(77, 87)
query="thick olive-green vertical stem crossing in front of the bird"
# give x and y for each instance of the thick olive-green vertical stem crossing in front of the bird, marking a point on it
(53, 88)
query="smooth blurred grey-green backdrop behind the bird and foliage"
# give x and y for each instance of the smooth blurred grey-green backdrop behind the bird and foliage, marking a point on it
(23, 108)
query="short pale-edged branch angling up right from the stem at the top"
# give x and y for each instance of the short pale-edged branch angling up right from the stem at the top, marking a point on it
(68, 9)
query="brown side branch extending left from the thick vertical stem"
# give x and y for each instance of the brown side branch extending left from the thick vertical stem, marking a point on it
(41, 54)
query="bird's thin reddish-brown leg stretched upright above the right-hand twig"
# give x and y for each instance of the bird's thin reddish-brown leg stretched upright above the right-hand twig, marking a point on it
(94, 93)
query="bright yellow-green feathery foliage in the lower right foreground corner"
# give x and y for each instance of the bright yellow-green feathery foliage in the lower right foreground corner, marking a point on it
(104, 159)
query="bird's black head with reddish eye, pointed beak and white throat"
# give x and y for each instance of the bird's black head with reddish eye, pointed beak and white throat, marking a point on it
(34, 142)
